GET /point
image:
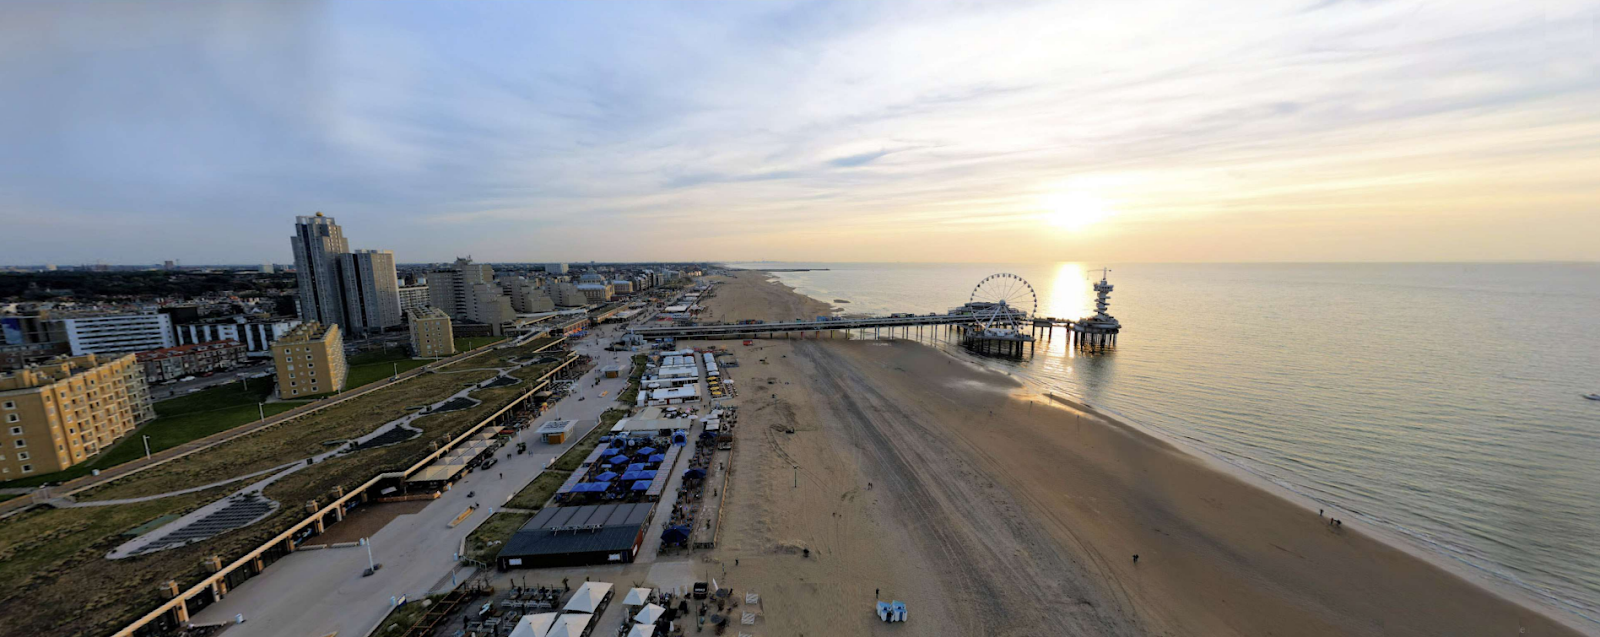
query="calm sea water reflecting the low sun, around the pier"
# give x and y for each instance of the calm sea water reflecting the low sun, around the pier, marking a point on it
(1438, 401)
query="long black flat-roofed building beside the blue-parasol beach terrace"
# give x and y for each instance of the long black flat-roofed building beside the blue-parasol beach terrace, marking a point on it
(578, 535)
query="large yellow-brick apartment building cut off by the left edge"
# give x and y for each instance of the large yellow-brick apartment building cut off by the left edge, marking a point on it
(65, 412)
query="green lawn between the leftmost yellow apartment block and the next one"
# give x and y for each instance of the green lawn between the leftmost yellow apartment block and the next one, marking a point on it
(178, 422)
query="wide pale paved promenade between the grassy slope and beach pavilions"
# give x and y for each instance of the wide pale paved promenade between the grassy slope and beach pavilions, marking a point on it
(319, 593)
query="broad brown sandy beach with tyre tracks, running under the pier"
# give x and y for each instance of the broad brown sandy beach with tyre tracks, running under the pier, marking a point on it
(993, 510)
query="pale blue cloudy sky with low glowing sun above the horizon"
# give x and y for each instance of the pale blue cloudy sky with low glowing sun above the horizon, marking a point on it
(1105, 132)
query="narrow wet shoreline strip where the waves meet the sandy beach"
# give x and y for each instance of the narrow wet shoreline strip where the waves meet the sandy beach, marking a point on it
(1479, 579)
